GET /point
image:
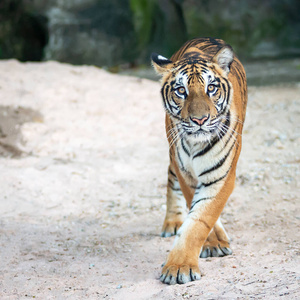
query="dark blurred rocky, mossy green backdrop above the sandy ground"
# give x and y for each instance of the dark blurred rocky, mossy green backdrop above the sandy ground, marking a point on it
(124, 32)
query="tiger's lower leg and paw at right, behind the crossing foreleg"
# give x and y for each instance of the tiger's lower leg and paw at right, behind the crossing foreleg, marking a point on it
(217, 243)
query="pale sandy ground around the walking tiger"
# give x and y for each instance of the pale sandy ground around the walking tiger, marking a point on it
(83, 180)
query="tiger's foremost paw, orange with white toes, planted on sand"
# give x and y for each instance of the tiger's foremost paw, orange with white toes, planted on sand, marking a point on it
(172, 274)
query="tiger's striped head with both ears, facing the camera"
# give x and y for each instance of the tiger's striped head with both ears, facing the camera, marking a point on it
(196, 91)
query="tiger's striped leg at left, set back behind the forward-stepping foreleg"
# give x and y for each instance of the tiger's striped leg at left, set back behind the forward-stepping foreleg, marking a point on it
(176, 206)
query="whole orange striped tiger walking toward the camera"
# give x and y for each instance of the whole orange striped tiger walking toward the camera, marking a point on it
(204, 92)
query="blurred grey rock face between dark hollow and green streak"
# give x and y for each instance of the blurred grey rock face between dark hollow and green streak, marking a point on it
(91, 32)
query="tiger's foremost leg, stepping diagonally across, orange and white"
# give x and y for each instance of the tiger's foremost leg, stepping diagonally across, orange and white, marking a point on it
(182, 262)
